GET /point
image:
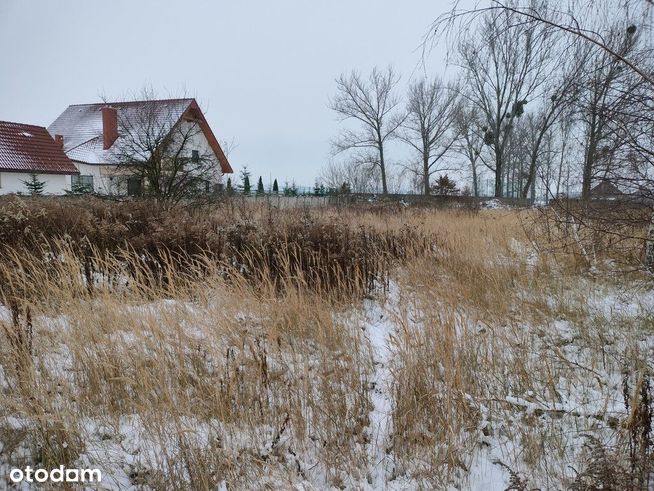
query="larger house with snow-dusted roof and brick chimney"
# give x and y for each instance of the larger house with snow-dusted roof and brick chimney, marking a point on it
(95, 138)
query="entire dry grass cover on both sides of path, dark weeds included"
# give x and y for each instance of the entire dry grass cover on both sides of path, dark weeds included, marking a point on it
(251, 364)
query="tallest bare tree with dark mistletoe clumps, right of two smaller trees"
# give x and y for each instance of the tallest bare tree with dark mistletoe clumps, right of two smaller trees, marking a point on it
(505, 63)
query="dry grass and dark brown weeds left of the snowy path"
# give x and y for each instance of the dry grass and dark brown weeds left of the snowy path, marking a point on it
(213, 335)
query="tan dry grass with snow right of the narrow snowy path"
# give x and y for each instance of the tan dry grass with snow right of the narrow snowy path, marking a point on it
(503, 342)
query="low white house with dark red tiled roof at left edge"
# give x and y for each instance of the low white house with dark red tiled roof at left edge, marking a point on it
(25, 150)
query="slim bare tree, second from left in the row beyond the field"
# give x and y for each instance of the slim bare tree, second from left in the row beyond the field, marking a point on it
(429, 126)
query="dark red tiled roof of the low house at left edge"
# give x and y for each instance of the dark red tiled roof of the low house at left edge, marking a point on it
(28, 148)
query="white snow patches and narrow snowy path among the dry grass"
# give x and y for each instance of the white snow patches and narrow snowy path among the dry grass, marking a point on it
(122, 448)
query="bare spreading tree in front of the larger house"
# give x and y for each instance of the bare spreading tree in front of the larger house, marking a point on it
(157, 148)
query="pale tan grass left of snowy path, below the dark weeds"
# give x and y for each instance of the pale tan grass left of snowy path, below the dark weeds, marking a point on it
(254, 374)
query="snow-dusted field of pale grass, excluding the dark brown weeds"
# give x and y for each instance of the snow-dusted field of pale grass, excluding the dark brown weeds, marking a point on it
(507, 369)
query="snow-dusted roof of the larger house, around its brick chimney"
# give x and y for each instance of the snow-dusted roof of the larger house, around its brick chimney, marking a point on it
(81, 126)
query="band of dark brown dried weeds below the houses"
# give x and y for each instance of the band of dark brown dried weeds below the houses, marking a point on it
(281, 250)
